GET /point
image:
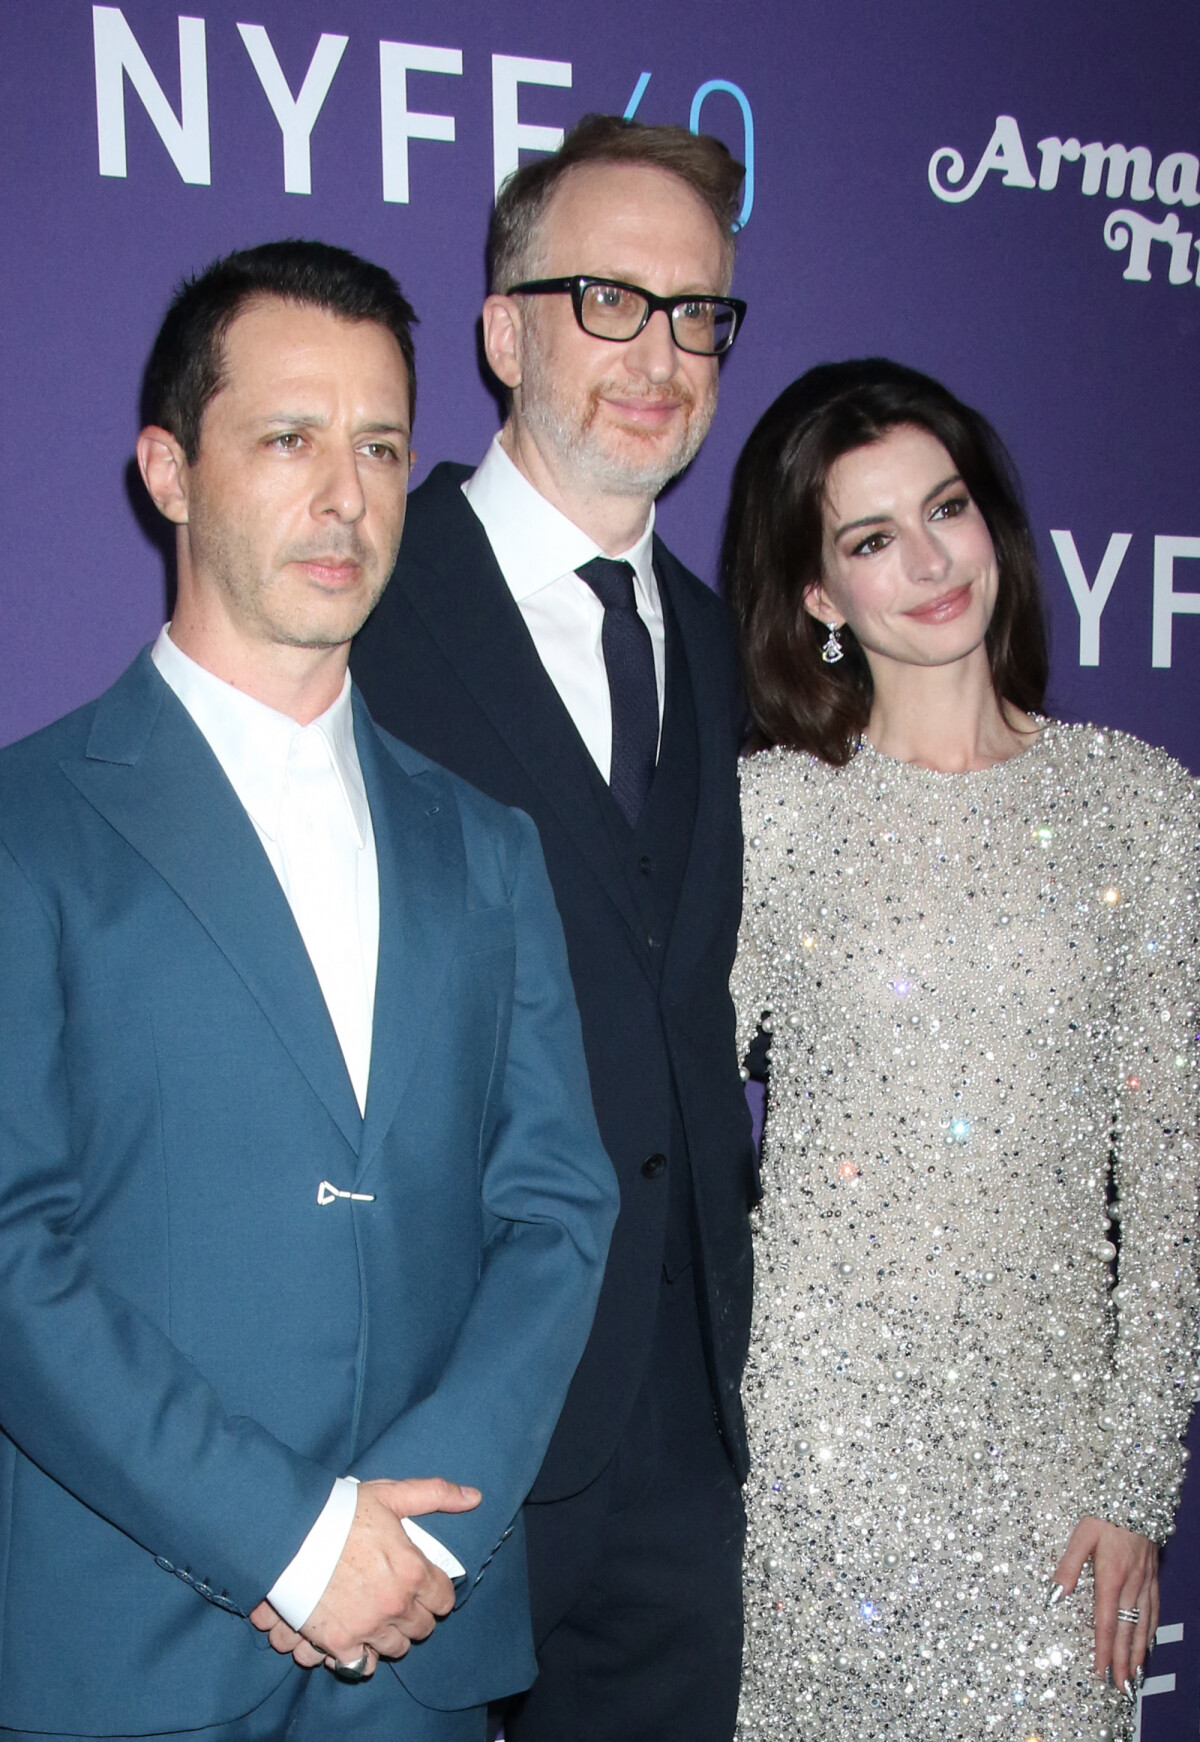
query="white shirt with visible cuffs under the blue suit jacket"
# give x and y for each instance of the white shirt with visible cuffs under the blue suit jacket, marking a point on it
(304, 792)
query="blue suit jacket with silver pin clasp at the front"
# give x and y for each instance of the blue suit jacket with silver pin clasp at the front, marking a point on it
(191, 1346)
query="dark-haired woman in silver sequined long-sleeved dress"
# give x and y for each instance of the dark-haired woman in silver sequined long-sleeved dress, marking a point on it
(973, 938)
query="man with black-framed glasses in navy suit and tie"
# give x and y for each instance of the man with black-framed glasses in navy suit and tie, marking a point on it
(544, 644)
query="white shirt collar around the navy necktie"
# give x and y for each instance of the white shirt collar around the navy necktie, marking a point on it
(534, 543)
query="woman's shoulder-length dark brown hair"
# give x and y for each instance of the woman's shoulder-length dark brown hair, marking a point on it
(774, 536)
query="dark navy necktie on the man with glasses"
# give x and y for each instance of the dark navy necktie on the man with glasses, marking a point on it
(630, 661)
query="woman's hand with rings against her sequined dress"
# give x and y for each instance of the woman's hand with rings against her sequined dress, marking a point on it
(1126, 1577)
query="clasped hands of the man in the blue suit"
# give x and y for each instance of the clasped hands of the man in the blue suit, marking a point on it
(384, 1593)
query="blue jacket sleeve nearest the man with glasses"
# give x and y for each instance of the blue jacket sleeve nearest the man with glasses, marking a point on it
(549, 1201)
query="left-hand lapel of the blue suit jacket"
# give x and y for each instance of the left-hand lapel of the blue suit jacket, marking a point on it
(152, 776)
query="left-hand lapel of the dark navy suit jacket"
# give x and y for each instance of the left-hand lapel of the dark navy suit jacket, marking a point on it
(457, 590)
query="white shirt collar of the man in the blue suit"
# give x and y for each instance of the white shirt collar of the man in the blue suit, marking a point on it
(253, 741)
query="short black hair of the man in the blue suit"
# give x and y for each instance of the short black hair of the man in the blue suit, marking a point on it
(189, 354)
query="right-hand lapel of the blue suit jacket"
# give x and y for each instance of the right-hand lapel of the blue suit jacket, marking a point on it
(422, 895)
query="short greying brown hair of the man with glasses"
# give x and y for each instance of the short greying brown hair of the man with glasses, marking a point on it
(708, 168)
